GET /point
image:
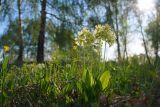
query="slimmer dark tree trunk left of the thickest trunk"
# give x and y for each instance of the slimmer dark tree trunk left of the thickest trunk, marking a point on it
(20, 54)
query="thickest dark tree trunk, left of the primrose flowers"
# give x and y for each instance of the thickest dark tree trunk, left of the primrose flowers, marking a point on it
(40, 50)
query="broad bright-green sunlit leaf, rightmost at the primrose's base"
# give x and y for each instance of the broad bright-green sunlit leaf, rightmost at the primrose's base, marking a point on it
(104, 79)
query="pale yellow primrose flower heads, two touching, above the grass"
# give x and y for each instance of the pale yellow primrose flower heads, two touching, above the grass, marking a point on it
(101, 33)
